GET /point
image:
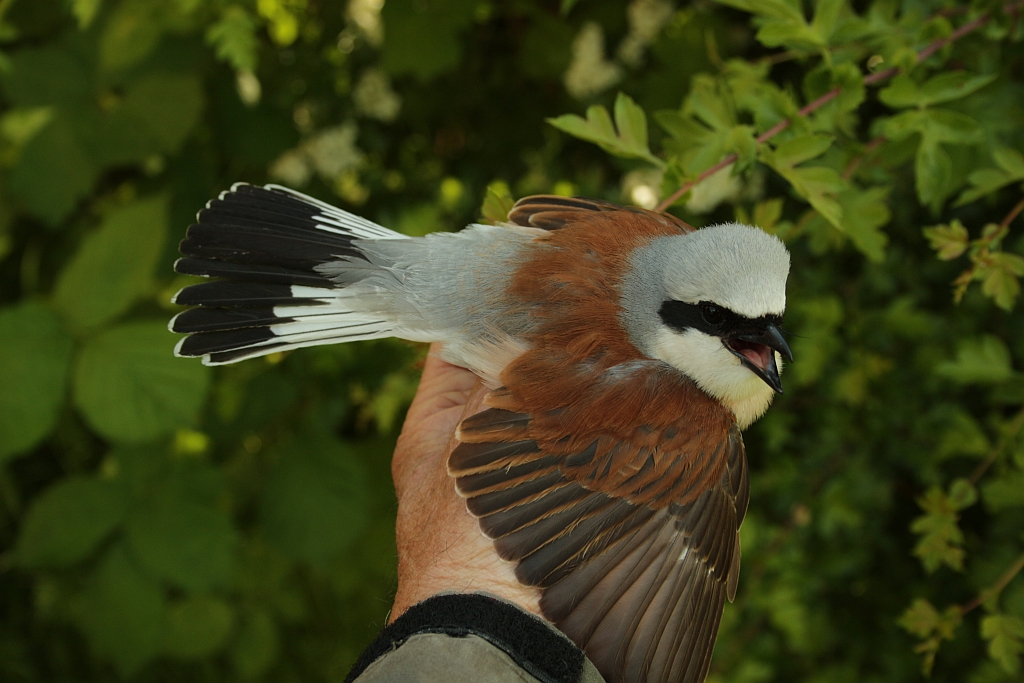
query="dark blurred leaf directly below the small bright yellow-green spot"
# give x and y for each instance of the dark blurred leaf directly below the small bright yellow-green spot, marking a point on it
(180, 538)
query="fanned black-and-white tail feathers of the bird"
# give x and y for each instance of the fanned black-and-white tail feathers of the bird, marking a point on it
(265, 245)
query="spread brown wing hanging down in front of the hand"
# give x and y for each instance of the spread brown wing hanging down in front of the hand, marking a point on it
(632, 534)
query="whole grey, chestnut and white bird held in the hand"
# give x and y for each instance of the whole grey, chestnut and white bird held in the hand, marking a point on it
(624, 353)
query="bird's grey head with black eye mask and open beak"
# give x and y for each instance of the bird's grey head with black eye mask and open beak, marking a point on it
(710, 304)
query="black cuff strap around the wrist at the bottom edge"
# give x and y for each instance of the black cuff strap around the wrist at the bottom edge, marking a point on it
(532, 644)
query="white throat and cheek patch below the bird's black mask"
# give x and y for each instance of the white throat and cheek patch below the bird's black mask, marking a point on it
(705, 360)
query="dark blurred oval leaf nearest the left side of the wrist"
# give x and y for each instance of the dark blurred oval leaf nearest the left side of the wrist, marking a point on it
(315, 503)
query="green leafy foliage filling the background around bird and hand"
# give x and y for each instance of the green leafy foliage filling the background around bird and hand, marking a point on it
(161, 522)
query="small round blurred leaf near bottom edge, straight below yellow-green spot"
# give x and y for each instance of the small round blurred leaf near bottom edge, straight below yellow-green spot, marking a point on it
(198, 627)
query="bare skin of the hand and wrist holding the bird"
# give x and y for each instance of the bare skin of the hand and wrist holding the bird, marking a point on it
(441, 546)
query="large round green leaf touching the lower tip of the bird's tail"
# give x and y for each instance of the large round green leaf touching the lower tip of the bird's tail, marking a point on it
(132, 389)
